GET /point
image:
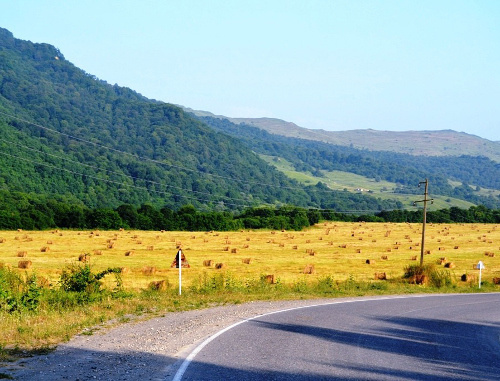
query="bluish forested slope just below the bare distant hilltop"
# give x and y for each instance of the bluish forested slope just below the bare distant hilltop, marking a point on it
(404, 170)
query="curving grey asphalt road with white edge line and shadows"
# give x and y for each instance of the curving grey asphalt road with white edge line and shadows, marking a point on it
(435, 337)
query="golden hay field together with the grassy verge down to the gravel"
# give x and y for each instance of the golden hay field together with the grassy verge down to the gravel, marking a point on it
(340, 250)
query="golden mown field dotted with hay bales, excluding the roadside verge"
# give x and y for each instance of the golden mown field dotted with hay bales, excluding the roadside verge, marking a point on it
(334, 248)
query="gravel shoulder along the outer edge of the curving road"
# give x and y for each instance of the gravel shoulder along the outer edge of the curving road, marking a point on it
(146, 350)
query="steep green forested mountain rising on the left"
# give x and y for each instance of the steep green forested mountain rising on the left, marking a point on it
(66, 134)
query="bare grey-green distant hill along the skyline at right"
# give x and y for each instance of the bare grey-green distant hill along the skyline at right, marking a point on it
(426, 143)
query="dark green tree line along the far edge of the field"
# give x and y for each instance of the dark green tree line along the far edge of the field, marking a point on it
(20, 211)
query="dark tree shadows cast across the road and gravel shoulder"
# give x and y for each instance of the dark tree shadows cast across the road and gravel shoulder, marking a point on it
(445, 348)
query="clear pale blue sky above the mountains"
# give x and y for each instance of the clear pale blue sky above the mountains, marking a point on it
(336, 65)
